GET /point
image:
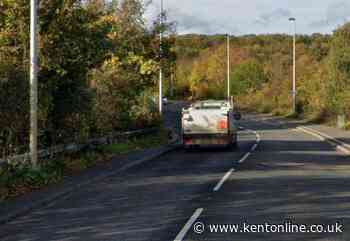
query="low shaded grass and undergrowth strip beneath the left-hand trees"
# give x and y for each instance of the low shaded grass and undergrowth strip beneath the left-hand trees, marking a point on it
(18, 181)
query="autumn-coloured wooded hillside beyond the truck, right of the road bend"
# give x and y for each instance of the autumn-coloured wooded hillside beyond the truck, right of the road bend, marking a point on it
(261, 72)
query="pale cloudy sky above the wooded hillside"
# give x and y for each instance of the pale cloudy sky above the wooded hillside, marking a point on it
(240, 17)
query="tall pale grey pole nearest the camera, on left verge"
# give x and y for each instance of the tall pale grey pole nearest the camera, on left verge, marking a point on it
(33, 84)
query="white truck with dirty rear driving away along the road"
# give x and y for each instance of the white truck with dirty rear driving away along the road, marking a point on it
(207, 123)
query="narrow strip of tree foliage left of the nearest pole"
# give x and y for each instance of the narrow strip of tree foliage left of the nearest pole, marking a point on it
(14, 45)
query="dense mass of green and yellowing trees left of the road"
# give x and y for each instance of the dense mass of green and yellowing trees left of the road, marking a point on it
(98, 70)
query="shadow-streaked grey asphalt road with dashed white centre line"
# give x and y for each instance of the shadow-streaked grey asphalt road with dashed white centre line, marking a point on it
(289, 176)
